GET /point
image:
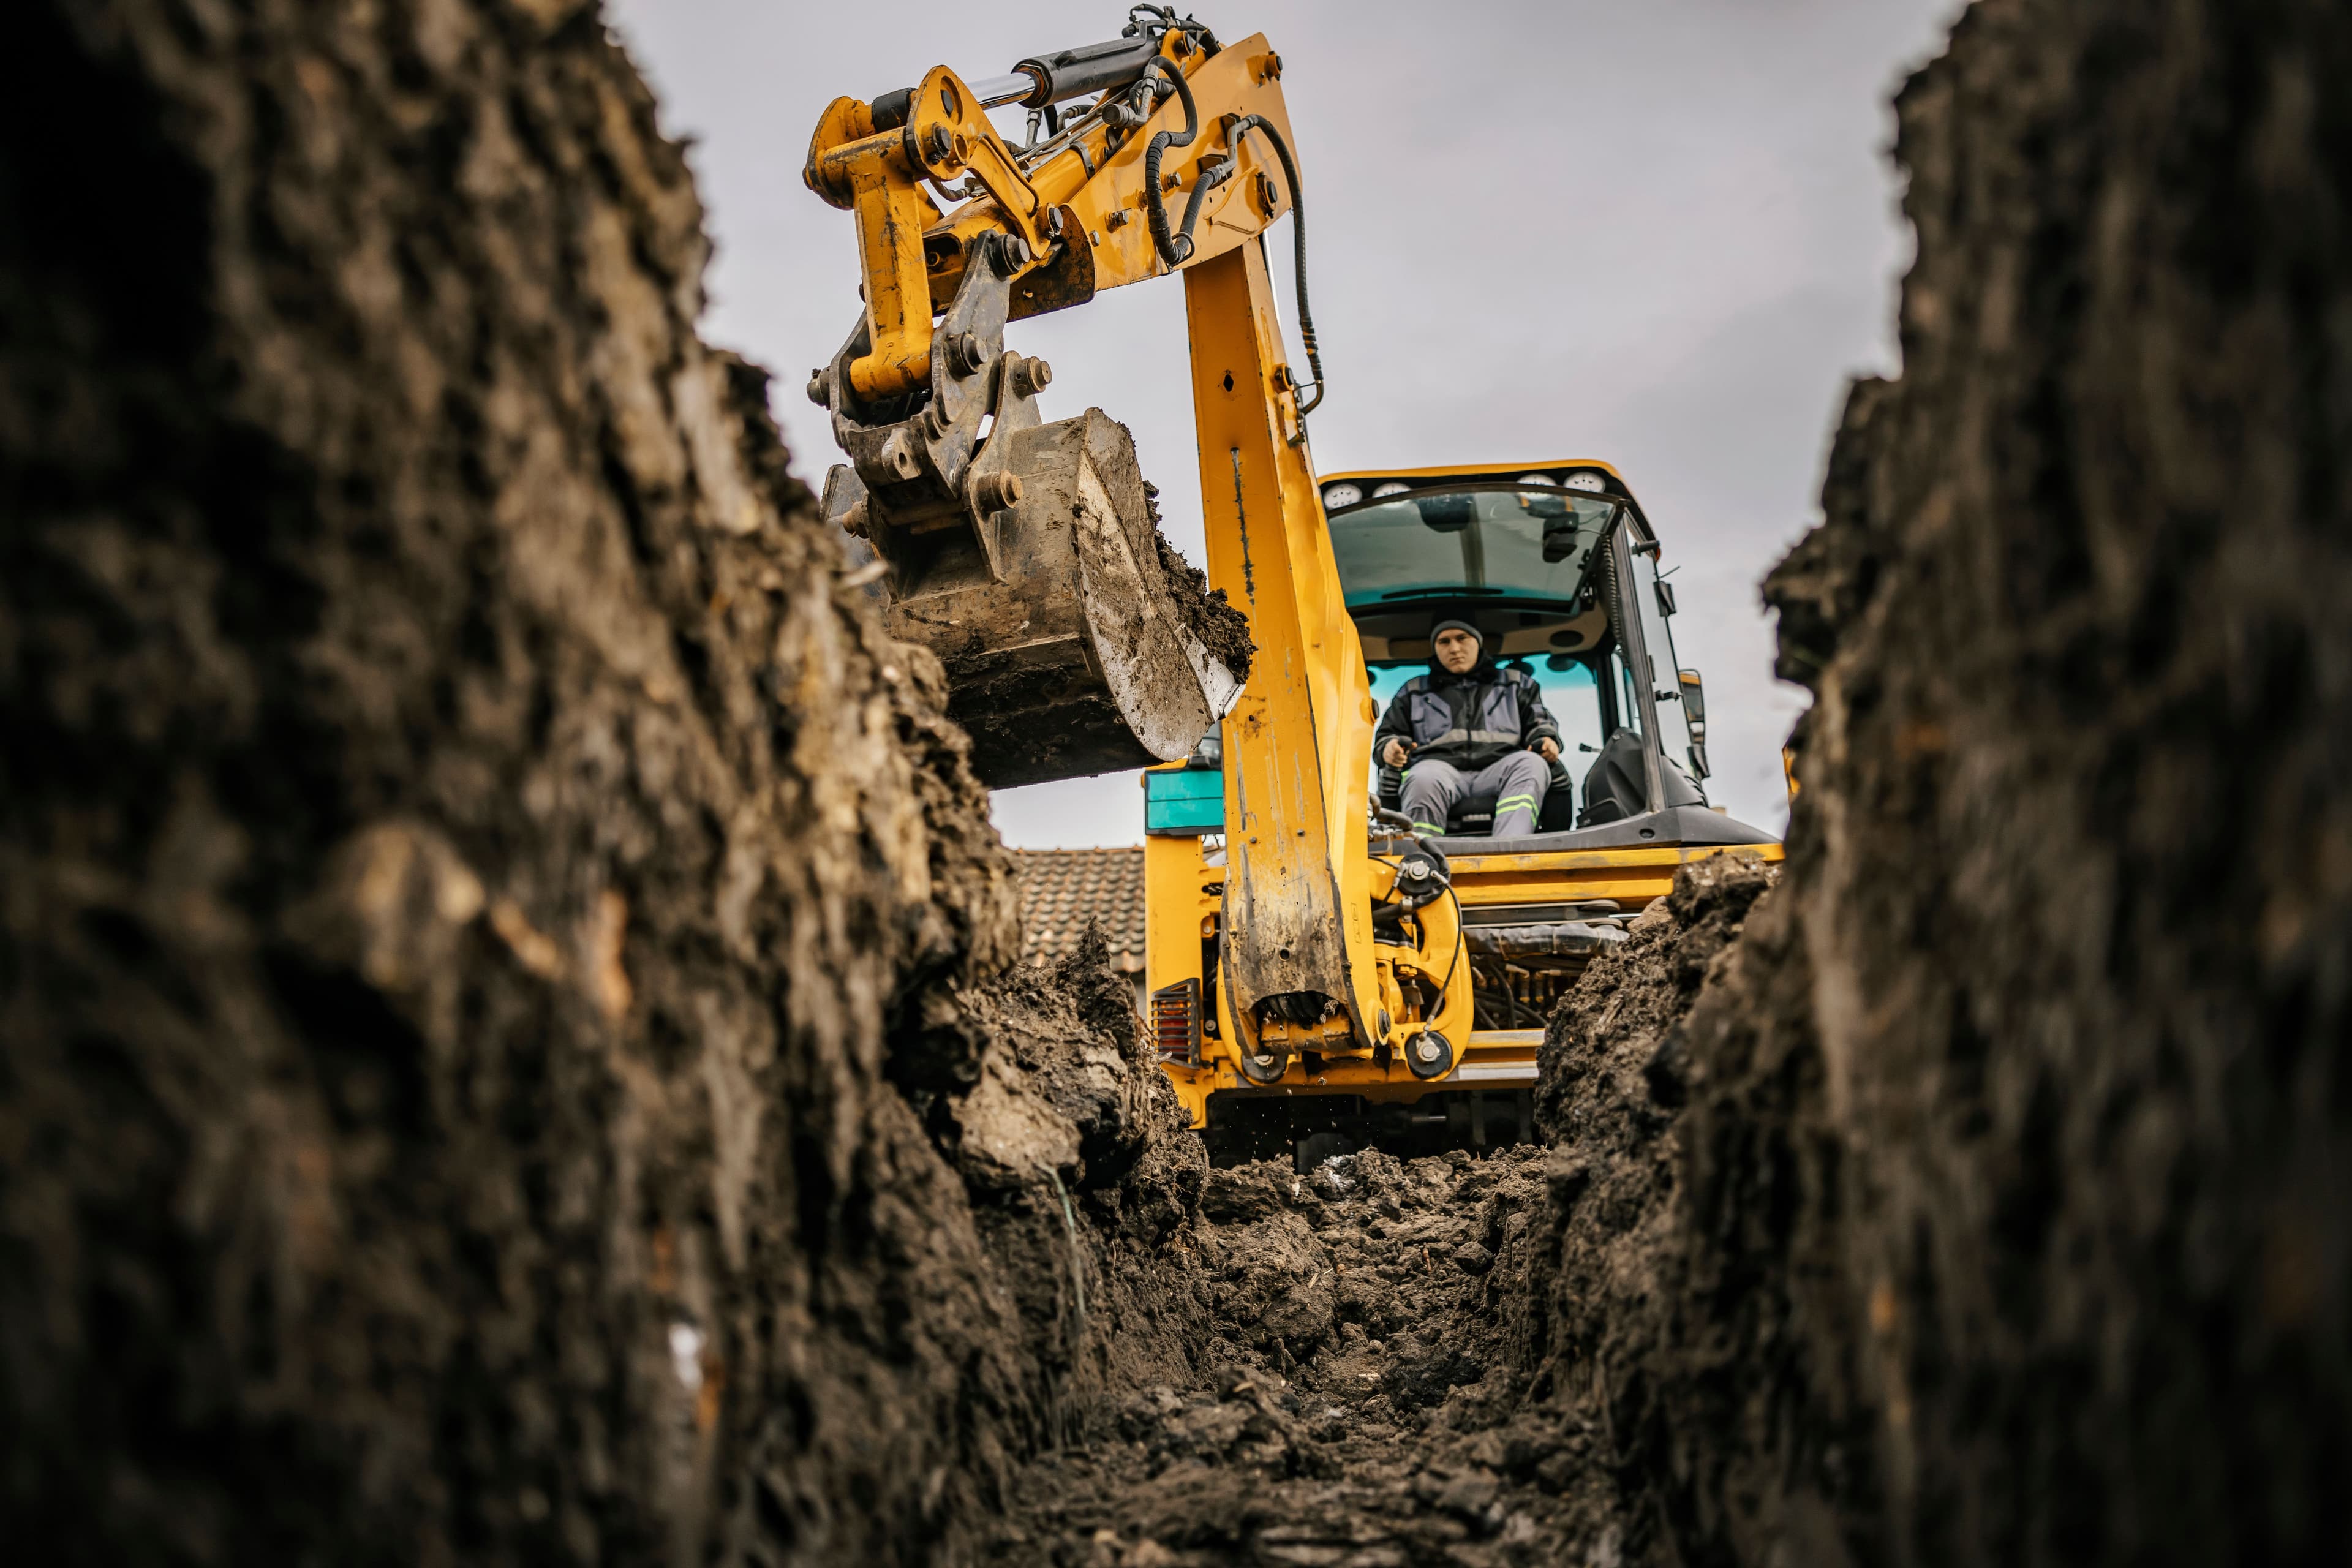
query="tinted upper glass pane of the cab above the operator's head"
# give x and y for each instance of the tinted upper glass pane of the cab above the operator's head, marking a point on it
(1485, 540)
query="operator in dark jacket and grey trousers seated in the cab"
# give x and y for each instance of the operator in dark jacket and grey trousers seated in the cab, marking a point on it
(1464, 730)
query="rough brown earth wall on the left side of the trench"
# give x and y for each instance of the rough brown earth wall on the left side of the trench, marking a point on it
(486, 913)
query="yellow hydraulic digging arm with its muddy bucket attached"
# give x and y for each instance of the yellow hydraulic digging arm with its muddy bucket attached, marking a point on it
(1027, 556)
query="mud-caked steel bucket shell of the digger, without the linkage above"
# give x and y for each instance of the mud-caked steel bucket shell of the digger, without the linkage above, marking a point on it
(1074, 638)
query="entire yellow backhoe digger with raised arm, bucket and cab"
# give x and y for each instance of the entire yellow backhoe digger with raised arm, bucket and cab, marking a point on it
(1321, 972)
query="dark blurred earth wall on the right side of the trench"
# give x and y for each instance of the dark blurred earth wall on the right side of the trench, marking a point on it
(2003, 1162)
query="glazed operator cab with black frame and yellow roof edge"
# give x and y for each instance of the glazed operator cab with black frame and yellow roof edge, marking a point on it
(1558, 568)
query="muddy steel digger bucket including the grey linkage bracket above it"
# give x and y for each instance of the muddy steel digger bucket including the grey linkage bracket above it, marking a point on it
(1027, 556)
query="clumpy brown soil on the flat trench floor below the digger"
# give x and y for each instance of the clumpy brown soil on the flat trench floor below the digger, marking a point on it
(1342, 1395)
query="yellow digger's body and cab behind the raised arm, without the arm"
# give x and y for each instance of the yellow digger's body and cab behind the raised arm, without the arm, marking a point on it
(1558, 568)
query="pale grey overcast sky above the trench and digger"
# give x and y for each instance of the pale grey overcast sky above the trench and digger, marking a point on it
(1650, 232)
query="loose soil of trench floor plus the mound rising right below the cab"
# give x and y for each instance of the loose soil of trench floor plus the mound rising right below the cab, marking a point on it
(1443, 1360)
